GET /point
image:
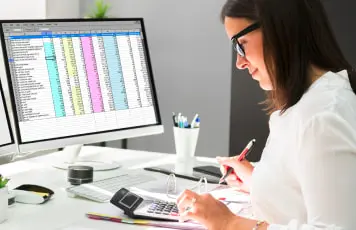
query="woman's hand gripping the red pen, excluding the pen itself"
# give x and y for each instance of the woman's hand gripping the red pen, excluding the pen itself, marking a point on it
(241, 176)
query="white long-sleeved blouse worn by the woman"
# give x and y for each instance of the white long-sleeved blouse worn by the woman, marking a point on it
(306, 178)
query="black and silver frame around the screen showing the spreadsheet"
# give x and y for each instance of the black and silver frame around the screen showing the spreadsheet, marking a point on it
(157, 127)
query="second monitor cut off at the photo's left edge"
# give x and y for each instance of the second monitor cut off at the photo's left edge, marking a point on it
(7, 143)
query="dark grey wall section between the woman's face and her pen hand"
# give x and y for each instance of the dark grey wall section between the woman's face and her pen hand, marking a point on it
(248, 120)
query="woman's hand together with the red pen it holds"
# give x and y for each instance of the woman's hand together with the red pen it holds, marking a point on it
(237, 163)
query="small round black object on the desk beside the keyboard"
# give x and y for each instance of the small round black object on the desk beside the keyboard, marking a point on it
(80, 174)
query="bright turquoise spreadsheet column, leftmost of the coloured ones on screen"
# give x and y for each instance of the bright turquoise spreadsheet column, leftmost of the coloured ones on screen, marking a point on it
(54, 78)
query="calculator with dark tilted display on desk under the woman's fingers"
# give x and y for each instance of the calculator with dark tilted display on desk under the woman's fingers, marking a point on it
(136, 207)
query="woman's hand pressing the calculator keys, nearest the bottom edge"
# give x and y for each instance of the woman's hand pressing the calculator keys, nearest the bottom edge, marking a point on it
(205, 209)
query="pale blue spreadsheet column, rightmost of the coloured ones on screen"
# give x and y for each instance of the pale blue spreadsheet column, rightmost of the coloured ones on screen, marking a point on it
(115, 72)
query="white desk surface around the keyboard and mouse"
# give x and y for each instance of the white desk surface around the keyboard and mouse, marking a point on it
(62, 211)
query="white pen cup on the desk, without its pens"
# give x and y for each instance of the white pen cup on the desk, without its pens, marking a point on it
(185, 140)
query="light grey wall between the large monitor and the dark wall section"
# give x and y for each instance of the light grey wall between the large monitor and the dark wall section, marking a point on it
(191, 59)
